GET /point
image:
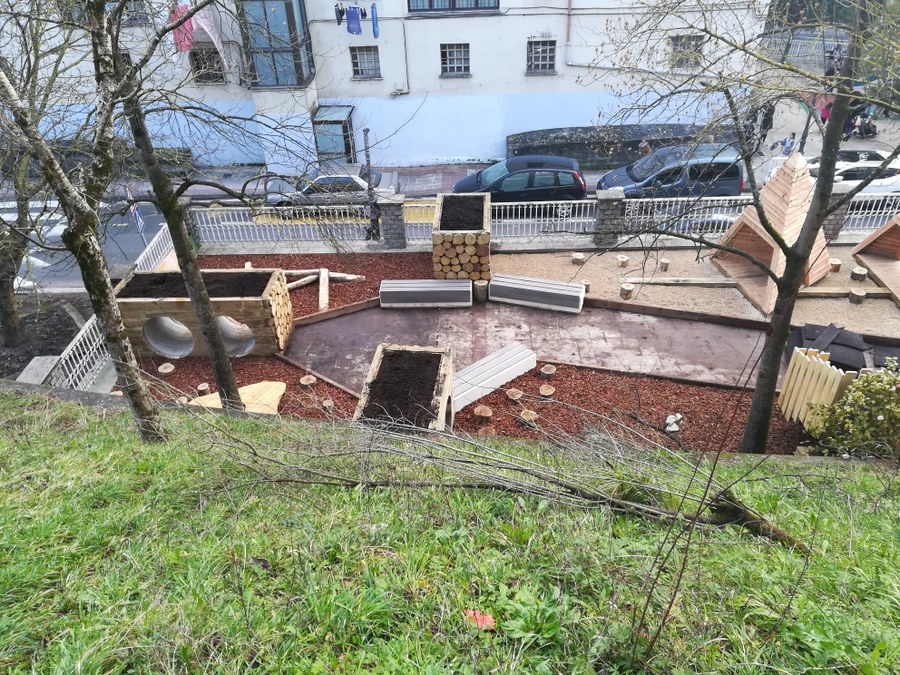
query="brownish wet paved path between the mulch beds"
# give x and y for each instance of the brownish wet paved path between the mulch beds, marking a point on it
(342, 348)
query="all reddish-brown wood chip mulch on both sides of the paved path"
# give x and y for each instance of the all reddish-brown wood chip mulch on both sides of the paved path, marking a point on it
(584, 398)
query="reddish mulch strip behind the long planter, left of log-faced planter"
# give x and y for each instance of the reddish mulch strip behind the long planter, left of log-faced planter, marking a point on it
(373, 266)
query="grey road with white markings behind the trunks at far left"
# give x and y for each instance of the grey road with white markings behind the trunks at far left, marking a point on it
(51, 269)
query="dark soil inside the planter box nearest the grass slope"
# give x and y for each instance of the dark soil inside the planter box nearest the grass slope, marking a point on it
(403, 389)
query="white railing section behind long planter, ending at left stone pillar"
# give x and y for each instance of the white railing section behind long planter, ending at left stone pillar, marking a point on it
(273, 224)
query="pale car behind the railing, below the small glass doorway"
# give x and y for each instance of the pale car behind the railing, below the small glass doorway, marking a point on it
(332, 187)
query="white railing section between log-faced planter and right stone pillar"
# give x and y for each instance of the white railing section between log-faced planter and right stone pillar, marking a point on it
(527, 220)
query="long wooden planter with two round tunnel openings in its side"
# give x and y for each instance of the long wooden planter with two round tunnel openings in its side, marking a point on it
(252, 308)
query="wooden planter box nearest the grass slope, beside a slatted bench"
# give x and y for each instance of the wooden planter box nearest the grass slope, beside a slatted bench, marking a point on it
(410, 386)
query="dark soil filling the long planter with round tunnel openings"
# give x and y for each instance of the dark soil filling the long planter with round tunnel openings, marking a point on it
(218, 285)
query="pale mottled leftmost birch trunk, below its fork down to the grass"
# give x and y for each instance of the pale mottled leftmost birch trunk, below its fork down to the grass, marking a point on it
(81, 239)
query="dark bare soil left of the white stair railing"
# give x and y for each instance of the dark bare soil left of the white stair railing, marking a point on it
(49, 326)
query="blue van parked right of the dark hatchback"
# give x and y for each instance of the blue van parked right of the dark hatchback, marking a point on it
(708, 170)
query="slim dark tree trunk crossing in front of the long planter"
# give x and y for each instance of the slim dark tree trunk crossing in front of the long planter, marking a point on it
(187, 259)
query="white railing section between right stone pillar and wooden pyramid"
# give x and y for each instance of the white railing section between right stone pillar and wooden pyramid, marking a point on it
(708, 215)
